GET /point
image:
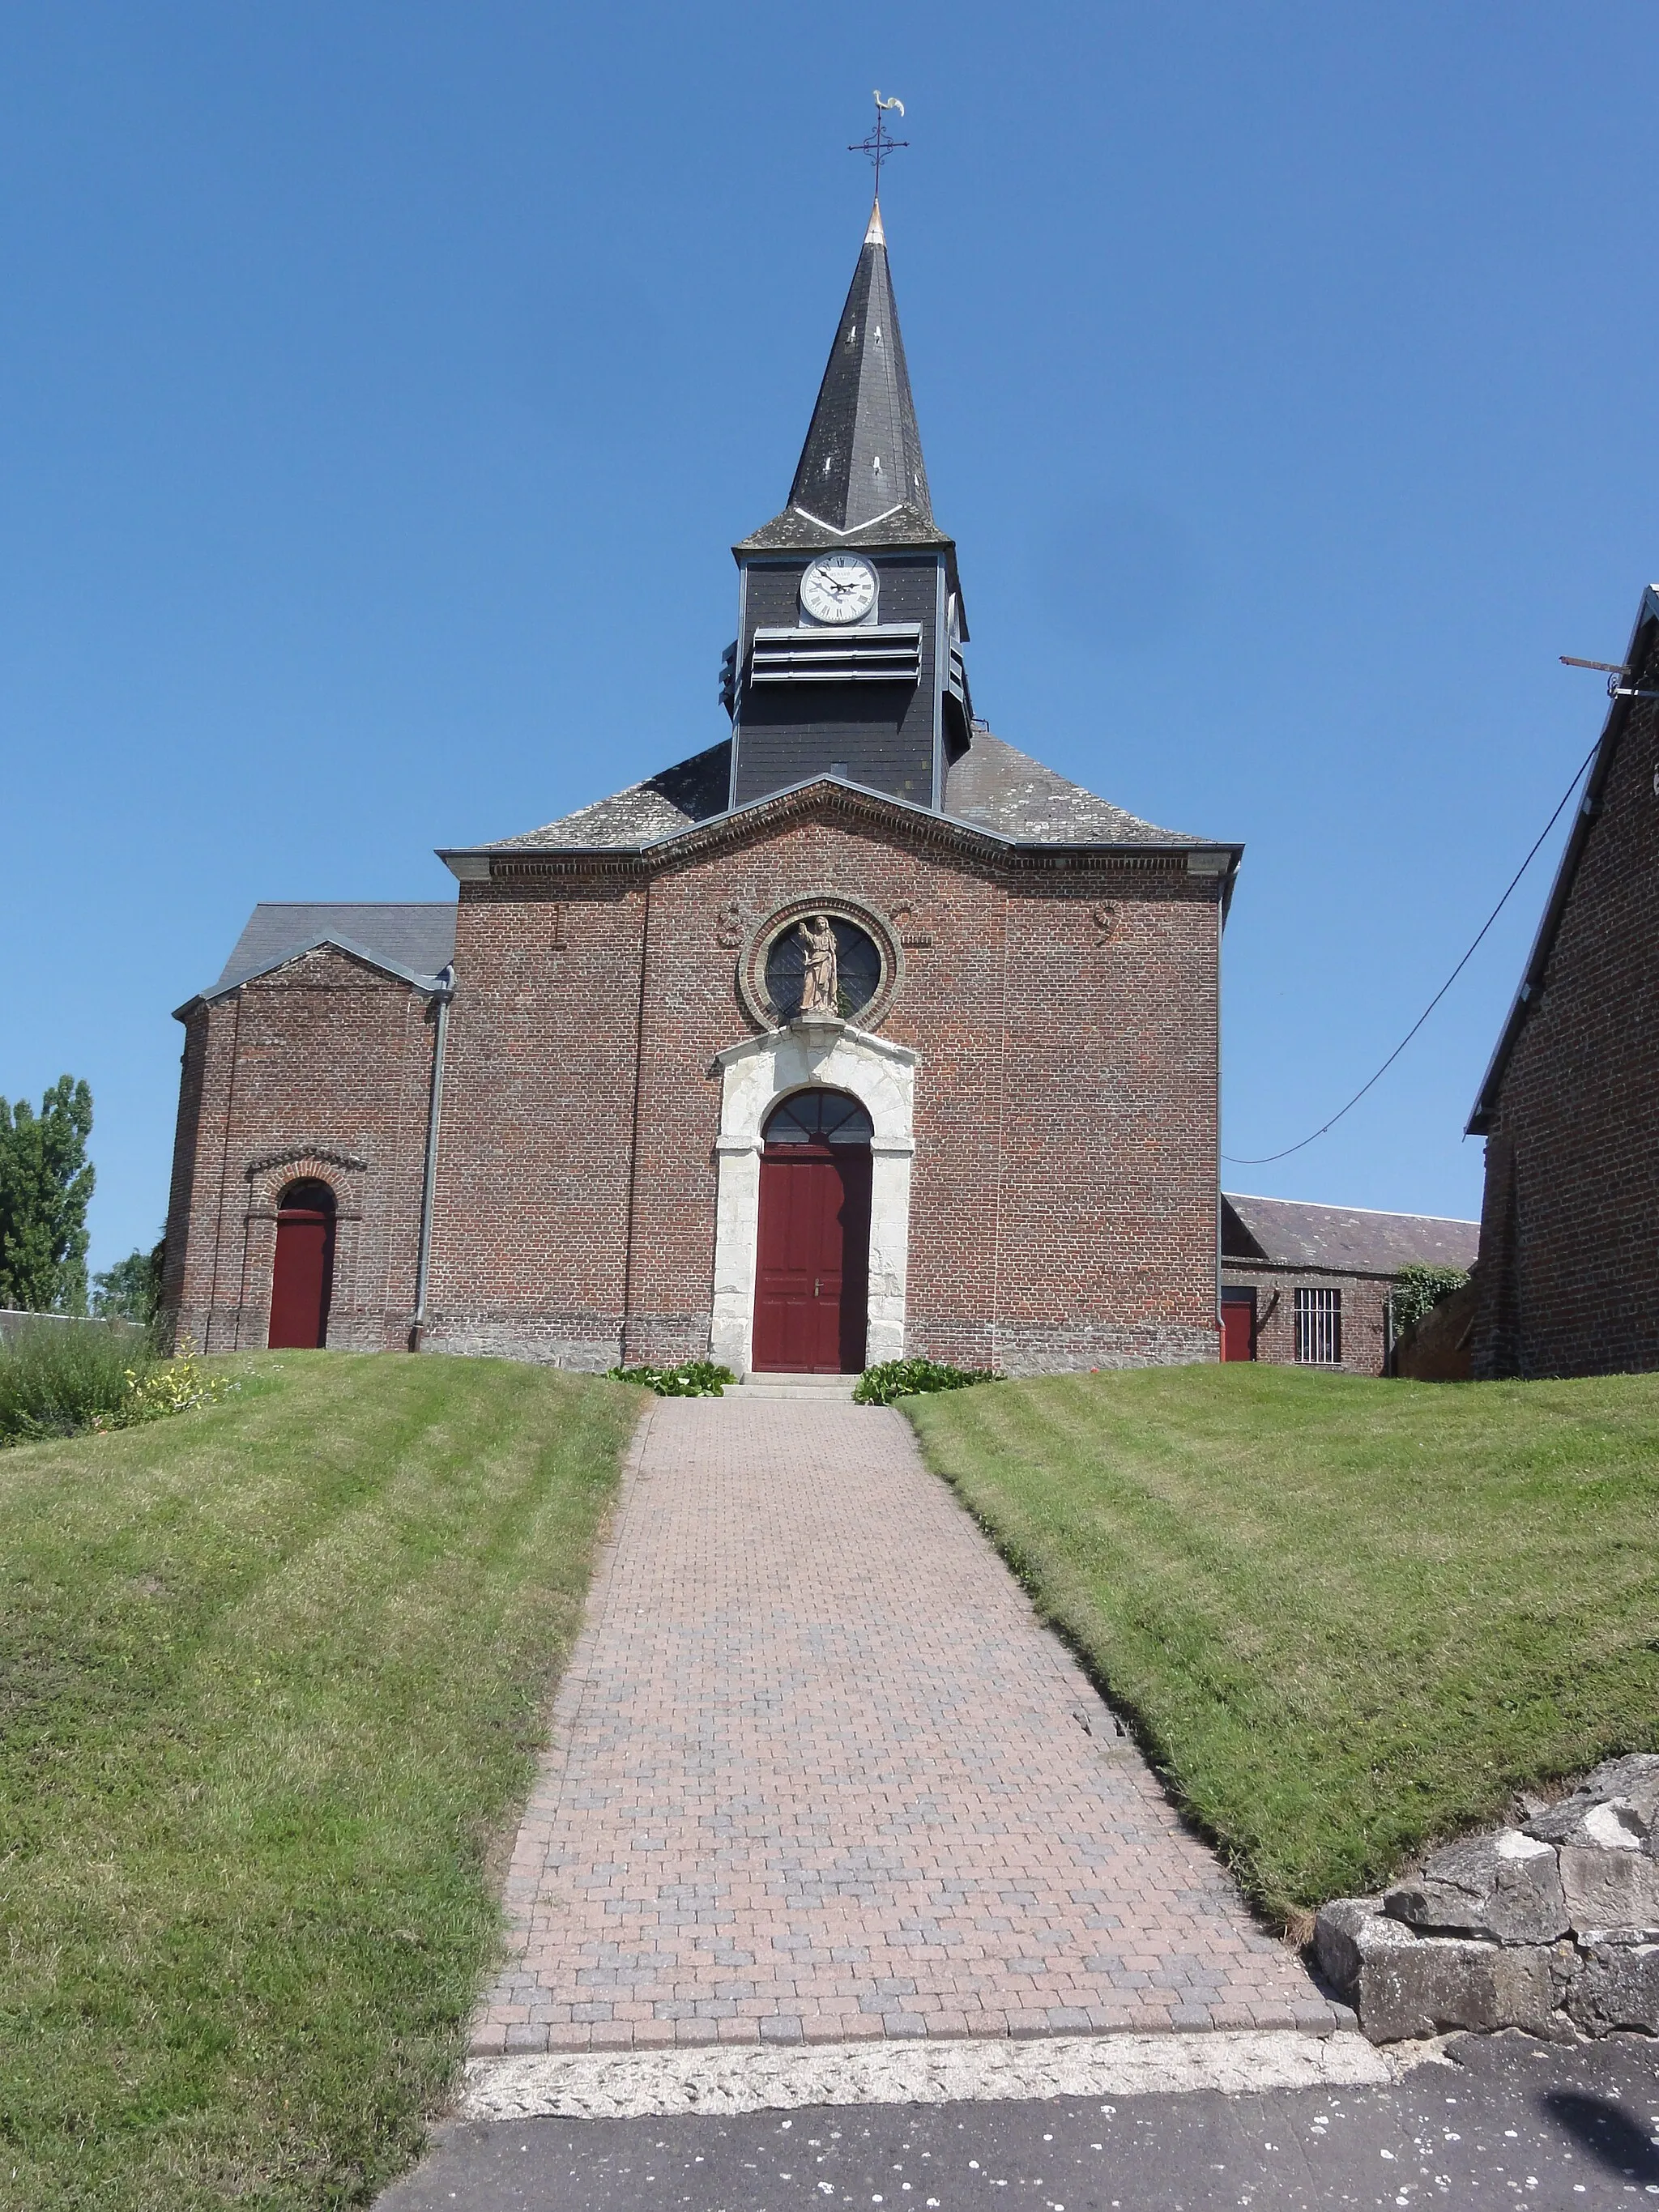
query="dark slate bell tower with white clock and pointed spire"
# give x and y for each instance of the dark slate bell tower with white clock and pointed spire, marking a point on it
(848, 654)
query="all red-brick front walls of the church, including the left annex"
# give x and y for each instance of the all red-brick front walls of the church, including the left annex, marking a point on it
(1065, 1182)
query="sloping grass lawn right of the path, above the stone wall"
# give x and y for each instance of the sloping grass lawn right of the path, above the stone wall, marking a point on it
(1346, 1618)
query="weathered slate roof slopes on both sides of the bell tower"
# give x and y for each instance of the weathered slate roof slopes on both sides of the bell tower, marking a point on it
(990, 789)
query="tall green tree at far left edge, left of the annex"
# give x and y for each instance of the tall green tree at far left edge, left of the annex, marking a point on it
(45, 1185)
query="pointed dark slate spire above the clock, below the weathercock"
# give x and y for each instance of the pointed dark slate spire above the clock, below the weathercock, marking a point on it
(864, 455)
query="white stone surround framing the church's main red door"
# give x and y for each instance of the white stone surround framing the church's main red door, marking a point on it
(755, 1076)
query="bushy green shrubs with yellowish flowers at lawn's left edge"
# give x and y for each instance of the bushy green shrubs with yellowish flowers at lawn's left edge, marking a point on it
(63, 1377)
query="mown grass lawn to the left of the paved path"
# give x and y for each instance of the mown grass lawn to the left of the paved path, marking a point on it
(271, 1684)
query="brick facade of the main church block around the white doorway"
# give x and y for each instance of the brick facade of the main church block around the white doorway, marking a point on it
(1065, 1178)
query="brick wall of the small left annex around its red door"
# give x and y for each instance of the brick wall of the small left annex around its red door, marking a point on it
(320, 1070)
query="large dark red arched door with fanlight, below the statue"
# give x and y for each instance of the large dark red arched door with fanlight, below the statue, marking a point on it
(813, 1264)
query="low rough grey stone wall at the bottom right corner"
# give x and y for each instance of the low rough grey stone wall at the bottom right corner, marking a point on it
(1550, 1928)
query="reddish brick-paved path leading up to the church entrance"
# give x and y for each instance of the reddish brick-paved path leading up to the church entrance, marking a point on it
(820, 1775)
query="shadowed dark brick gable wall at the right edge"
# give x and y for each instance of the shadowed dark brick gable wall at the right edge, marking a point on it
(1569, 1240)
